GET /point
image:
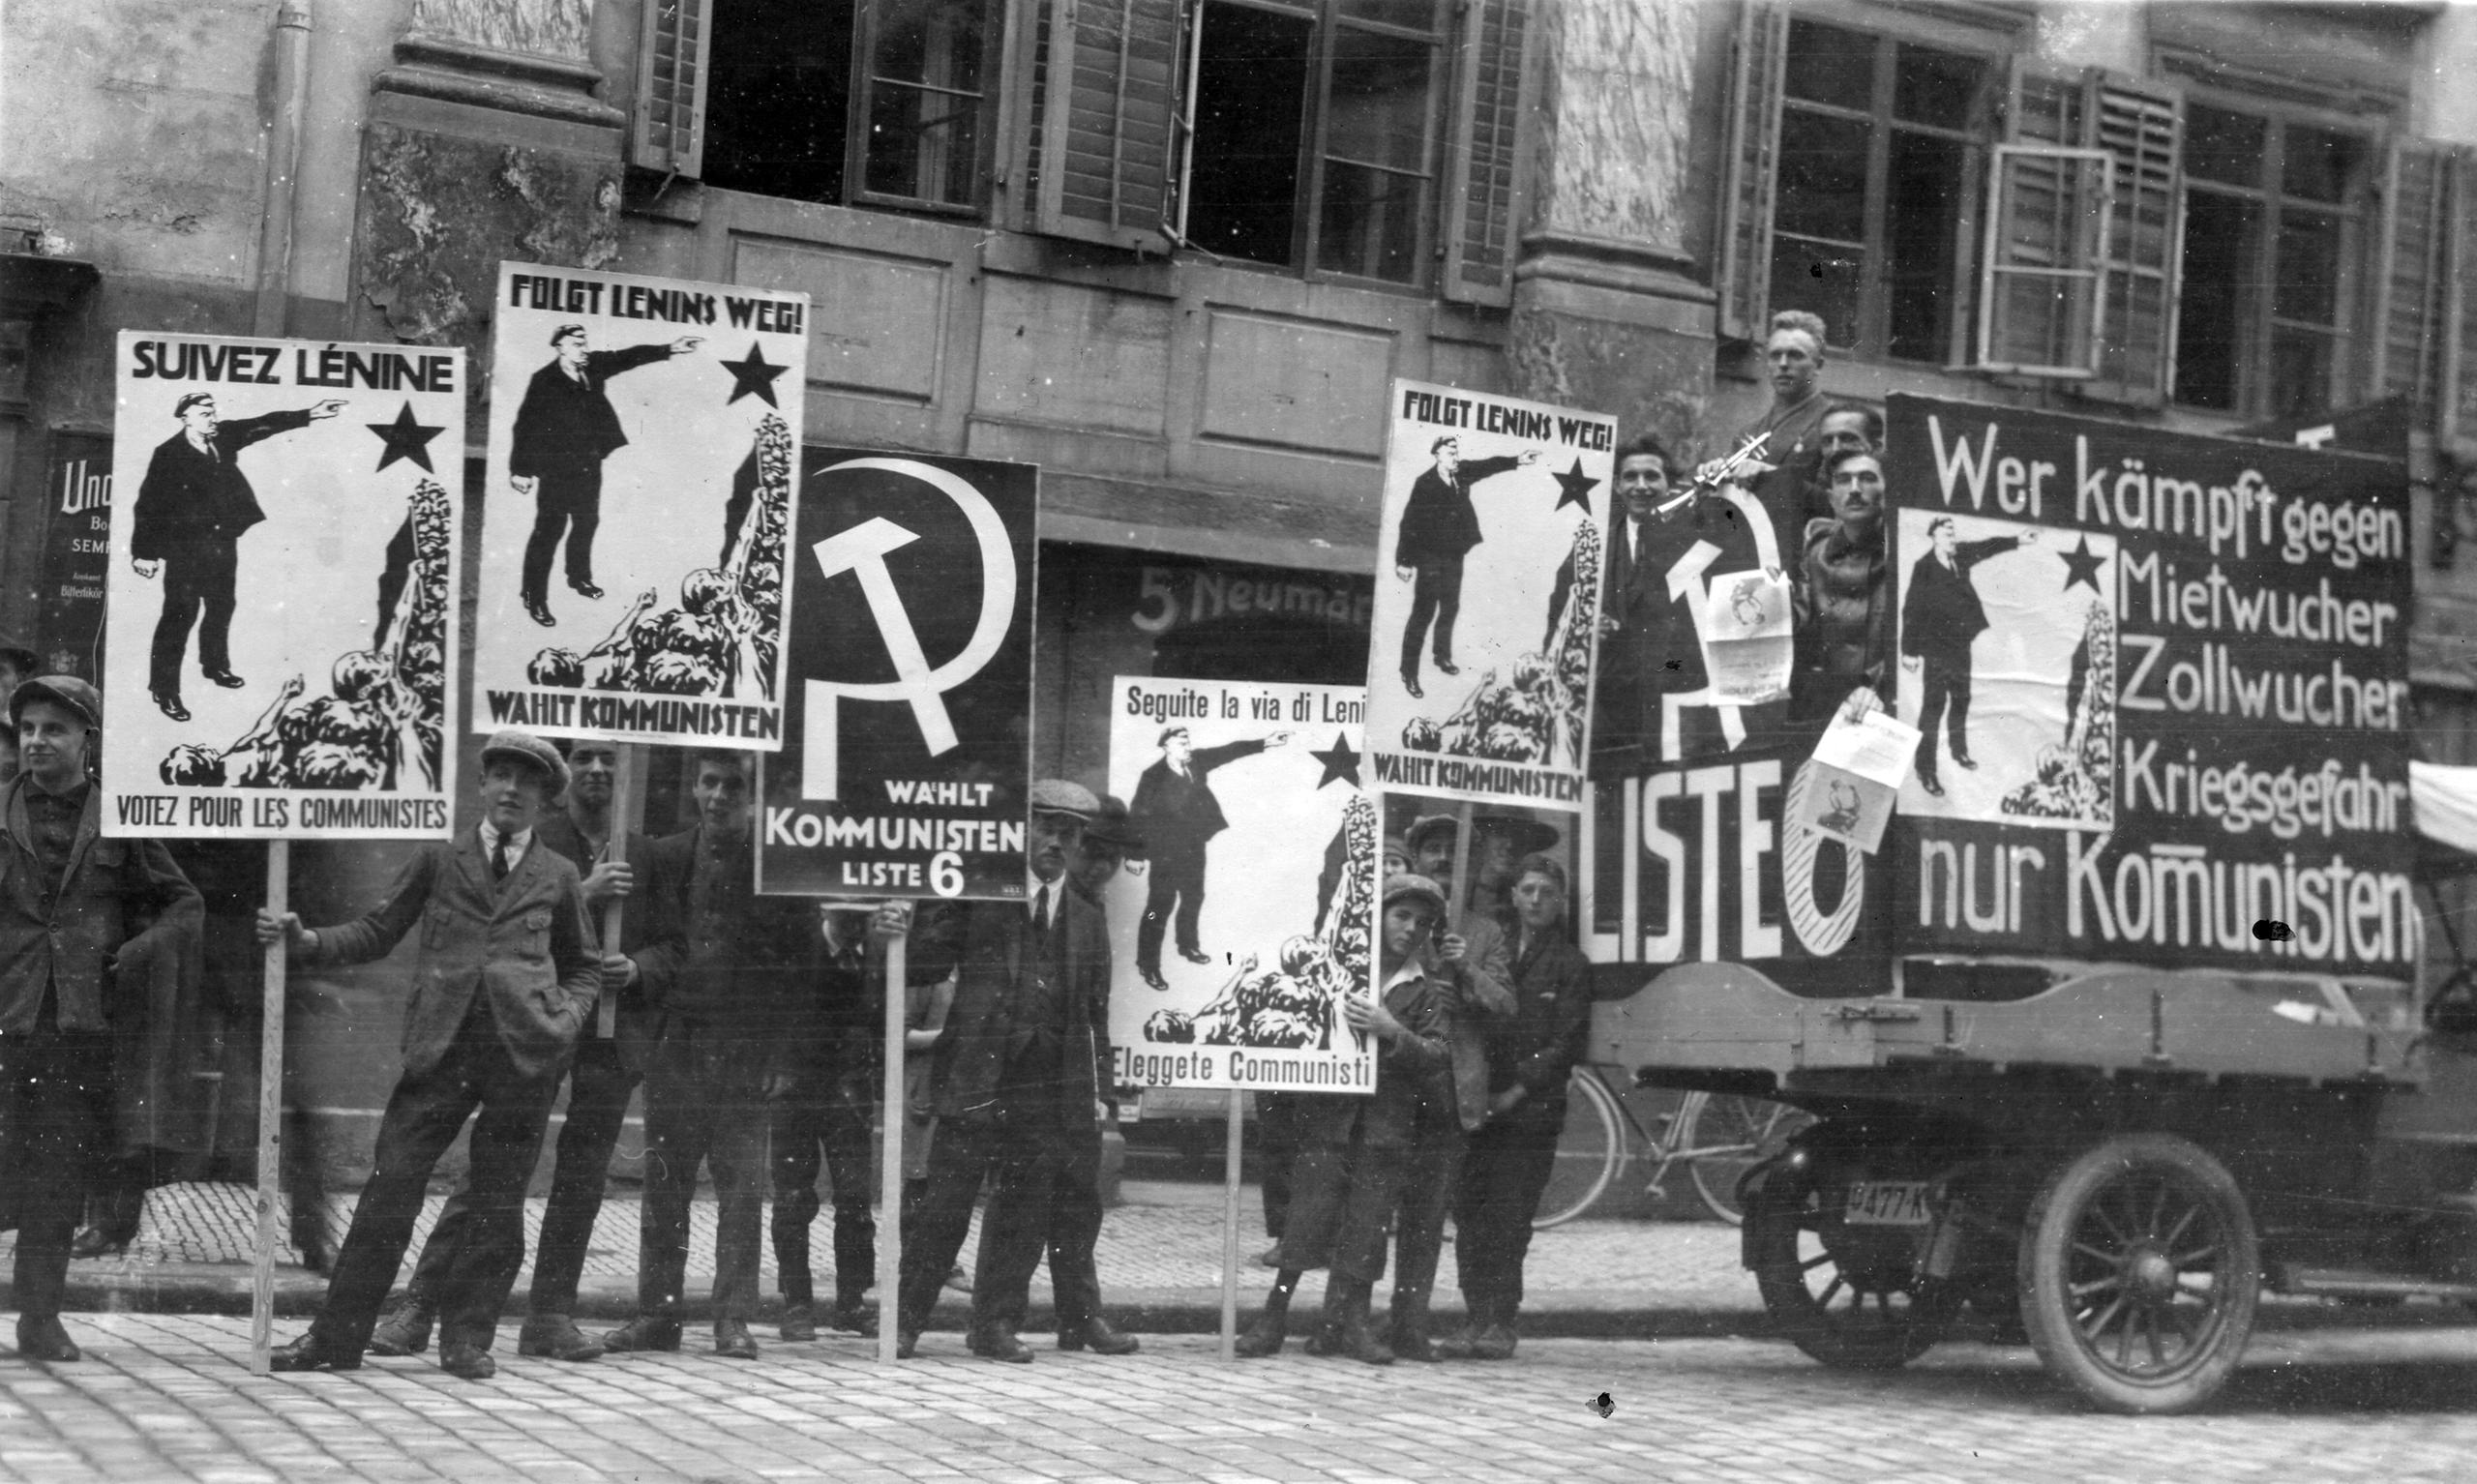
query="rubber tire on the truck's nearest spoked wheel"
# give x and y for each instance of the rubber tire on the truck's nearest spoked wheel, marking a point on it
(2045, 1275)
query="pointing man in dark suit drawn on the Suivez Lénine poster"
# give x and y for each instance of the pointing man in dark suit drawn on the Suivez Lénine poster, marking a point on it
(187, 524)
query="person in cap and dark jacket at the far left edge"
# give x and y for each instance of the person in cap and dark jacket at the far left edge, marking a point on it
(81, 915)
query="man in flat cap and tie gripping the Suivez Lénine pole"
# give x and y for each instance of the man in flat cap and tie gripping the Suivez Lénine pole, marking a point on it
(504, 985)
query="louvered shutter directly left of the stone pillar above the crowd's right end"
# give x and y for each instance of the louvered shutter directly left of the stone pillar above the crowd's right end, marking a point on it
(1487, 177)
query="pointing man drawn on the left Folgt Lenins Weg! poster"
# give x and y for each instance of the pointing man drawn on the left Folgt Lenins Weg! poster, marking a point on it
(564, 432)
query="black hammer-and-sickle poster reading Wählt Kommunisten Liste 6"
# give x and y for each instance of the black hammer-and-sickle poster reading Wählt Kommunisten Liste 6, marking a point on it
(908, 737)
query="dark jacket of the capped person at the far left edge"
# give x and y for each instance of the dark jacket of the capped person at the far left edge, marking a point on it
(123, 908)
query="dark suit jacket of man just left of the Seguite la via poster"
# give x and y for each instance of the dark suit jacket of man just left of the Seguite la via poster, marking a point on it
(987, 948)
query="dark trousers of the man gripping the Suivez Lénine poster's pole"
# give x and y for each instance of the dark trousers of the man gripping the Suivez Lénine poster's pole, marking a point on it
(422, 1119)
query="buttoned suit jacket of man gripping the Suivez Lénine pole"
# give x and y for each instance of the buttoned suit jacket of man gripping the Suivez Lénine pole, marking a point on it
(521, 945)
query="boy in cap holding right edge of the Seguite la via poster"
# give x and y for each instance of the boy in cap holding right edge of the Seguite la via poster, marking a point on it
(1356, 1151)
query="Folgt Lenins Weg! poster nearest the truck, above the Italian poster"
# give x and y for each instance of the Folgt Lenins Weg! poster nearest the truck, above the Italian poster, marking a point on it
(1487, 598)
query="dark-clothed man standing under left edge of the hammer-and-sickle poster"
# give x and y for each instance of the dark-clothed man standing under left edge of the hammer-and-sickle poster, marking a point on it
(722, 972)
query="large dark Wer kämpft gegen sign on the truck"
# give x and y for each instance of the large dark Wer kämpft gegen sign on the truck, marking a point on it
(2161, 687)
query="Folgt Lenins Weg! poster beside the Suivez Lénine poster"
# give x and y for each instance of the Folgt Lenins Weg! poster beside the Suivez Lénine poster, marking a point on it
(638, 509)
